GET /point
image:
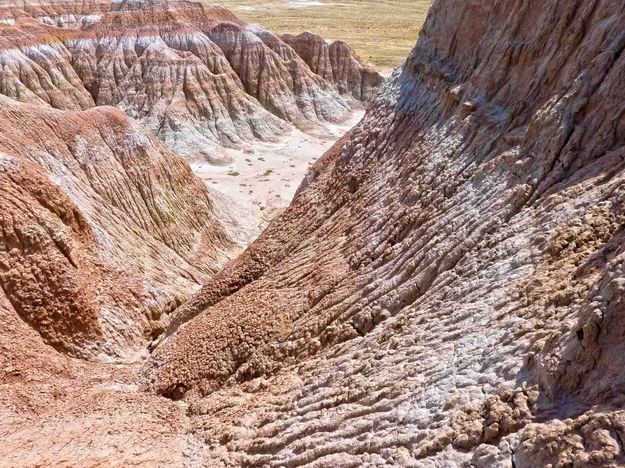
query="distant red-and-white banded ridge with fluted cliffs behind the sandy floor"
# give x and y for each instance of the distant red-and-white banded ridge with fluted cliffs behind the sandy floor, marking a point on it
(195, 75)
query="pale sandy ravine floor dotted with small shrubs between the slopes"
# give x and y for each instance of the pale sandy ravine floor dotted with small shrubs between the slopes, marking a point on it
(263, 177)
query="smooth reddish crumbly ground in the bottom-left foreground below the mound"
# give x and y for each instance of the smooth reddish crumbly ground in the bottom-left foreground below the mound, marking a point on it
(60, 411)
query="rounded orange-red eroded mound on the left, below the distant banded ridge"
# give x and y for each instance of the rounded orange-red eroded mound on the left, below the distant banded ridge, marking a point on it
(103, 230)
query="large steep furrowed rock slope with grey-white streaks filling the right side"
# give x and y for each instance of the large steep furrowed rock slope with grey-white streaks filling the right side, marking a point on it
(446, 288)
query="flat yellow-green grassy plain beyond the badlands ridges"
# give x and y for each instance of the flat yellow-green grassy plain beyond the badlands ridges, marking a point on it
(381, 31)
